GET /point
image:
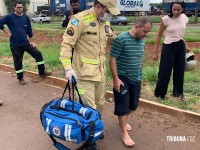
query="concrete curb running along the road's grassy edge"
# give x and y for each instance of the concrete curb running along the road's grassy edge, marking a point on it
(58, 82)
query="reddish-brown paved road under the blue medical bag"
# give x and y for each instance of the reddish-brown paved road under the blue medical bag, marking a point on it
(20, 127)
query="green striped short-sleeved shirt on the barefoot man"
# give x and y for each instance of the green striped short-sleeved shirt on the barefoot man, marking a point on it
(128, 52)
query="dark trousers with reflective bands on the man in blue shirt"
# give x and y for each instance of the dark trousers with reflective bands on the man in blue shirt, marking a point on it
(18, 53)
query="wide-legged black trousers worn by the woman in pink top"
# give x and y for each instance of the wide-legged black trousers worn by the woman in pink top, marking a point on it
(172, 57)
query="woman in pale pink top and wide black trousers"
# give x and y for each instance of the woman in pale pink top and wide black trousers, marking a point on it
(173, 51)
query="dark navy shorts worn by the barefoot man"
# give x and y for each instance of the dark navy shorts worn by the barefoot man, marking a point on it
(124, 103)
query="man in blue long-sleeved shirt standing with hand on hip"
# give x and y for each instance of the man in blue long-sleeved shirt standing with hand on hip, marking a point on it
(20, 29)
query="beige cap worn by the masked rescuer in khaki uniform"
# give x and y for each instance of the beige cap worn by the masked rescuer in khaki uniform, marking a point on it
(111, 5)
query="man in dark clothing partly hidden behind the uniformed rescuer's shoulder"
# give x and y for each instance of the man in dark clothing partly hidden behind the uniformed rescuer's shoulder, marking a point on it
(74, 10)
